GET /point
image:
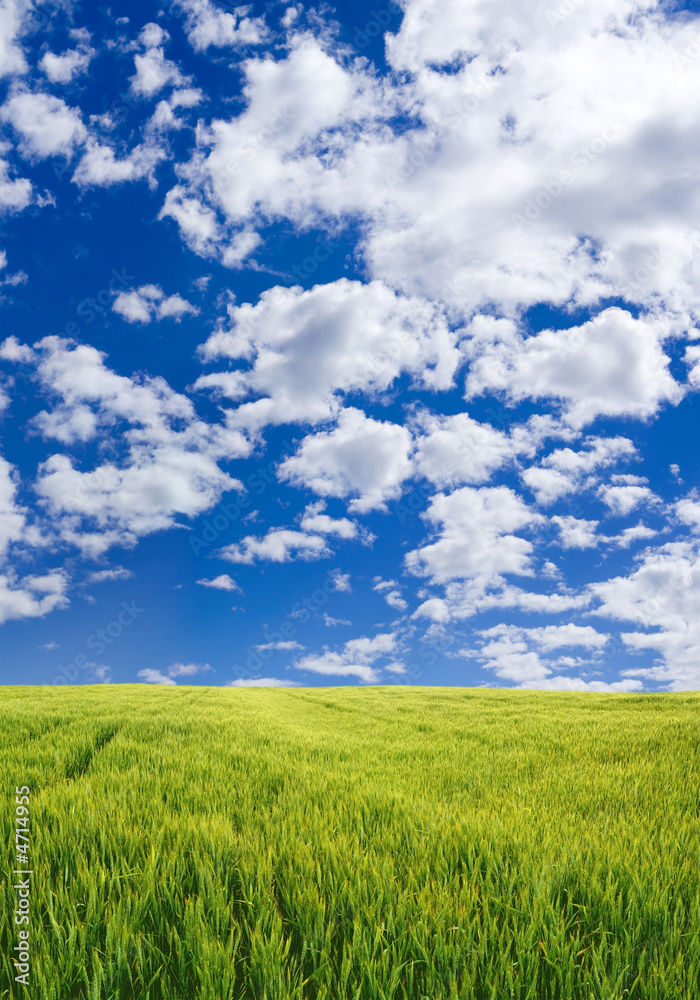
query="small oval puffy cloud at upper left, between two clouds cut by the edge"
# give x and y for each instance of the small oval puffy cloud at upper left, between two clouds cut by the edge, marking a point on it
(46, 125)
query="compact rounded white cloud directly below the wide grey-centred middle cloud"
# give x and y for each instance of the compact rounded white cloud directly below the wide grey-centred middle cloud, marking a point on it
(362, 458)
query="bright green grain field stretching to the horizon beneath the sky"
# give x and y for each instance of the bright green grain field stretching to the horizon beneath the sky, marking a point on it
(368, 844)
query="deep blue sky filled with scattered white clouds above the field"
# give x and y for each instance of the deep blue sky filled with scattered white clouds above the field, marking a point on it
(350, 345)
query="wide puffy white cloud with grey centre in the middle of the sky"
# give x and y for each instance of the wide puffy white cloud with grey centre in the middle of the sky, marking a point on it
(309, 348)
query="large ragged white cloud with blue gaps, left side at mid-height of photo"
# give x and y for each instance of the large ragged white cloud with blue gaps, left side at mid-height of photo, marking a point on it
(169, 464)
